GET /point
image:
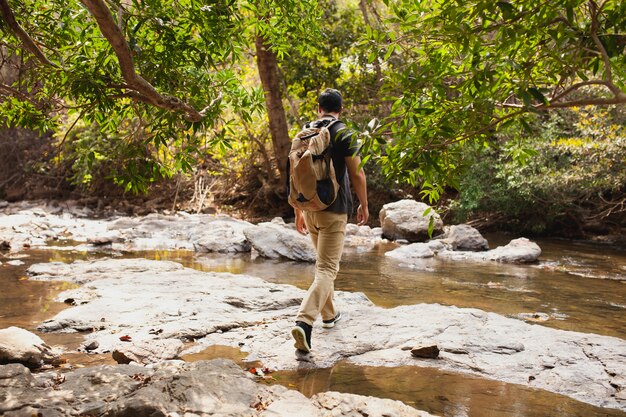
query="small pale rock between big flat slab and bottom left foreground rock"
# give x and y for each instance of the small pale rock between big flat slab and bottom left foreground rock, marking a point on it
(147, 352)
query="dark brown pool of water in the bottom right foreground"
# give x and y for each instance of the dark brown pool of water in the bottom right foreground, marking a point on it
(441, 393)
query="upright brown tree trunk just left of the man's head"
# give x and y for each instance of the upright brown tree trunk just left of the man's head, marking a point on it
(268, 71)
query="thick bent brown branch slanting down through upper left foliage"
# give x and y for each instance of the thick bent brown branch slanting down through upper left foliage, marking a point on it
(145, 91)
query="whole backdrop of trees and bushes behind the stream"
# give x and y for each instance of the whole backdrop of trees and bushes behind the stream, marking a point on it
(505, 114)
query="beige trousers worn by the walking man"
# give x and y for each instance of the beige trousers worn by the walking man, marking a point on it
(327, 231)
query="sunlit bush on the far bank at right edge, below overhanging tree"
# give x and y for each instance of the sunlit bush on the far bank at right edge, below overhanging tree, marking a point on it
(569, 179)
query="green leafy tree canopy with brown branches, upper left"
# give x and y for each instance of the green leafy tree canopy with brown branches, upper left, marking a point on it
(170, 68)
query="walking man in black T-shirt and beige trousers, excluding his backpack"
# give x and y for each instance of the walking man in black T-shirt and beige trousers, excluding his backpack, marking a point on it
(328, 227)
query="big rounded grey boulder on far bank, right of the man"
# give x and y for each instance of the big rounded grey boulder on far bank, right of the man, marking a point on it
(405, 219)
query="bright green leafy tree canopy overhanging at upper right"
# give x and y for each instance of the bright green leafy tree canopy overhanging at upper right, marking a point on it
(468, 69)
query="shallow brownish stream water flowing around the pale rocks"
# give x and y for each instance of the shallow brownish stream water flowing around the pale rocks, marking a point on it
(564, 290)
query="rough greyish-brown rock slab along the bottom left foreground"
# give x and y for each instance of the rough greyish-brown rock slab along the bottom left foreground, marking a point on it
(203, 388)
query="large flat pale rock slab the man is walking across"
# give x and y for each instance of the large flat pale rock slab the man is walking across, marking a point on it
(149, 300)
